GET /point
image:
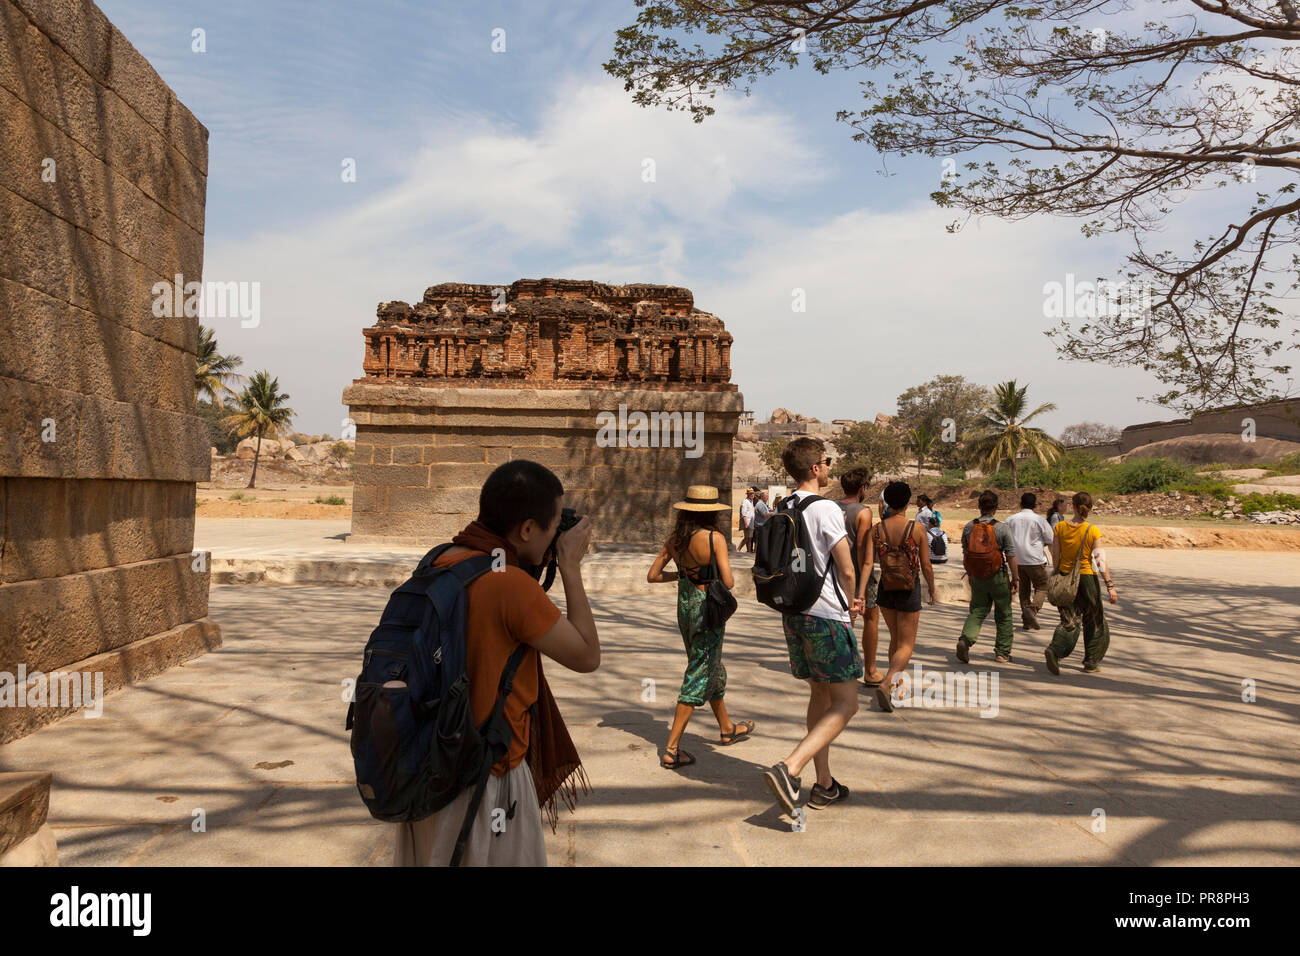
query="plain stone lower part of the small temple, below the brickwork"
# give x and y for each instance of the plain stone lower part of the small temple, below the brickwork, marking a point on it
(424, 452)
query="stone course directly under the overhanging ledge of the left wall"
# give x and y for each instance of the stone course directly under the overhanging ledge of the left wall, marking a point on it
(62, 526)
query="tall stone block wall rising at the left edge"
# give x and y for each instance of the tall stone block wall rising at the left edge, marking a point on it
(103, 180)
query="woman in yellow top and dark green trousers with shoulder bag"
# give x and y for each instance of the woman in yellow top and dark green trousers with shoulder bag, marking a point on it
(1076, 540)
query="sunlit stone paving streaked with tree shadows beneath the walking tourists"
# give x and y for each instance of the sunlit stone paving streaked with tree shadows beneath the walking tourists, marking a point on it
(1162, 742)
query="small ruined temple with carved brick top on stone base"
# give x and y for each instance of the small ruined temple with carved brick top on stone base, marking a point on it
(478, 375)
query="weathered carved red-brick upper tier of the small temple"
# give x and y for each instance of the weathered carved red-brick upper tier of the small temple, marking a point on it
(549, 332)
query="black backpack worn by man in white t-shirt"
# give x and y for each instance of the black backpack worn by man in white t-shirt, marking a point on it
(785, 573)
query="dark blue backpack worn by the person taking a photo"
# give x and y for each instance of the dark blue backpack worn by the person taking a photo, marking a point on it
(415, 746)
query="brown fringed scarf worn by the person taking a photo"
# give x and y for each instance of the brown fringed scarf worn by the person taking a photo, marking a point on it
(552, 758)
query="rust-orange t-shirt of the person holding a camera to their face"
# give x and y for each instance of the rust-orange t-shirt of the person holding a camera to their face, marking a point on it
(506, 609)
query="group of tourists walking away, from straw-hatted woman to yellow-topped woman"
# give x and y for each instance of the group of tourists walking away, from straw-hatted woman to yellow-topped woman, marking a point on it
(870, 568)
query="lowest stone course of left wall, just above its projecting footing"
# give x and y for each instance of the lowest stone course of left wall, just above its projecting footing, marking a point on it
(50, 622)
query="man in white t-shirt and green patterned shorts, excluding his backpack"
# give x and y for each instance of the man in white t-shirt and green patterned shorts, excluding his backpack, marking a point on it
(821, 642)
